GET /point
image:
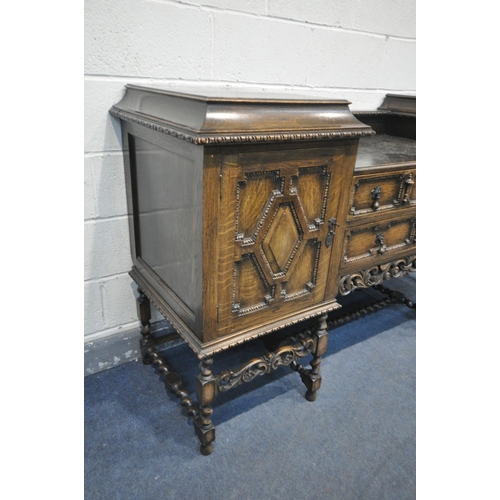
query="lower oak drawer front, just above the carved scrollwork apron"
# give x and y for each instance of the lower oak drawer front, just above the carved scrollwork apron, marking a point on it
(375, 242)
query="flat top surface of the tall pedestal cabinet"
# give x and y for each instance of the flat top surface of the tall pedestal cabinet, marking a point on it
(239, 95)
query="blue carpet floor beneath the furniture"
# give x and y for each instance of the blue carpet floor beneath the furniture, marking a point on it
(356, 441)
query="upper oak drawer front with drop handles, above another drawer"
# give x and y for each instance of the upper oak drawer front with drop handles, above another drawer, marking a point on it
(382, 192)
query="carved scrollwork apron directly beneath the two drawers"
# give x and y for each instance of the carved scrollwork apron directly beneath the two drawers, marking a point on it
(376, 274)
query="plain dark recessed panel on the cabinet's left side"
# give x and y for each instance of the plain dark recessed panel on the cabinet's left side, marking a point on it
(166, 218)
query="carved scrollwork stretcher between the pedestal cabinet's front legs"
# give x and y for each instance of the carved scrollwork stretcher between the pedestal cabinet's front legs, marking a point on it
(283, 356)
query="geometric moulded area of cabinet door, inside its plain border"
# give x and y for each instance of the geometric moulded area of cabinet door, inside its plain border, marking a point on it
(279, 234)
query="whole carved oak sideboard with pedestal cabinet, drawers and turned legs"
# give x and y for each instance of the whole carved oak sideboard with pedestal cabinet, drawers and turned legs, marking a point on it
(250, 212)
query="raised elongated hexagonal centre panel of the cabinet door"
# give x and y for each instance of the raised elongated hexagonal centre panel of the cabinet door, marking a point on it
(283, 239)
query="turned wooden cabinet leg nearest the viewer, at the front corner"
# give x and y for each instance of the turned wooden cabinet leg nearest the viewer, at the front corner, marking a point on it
(205, 392)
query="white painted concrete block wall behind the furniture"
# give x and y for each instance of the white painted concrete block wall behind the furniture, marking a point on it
(354, 49)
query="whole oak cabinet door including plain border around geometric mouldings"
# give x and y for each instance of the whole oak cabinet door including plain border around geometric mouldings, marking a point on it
(276, 234)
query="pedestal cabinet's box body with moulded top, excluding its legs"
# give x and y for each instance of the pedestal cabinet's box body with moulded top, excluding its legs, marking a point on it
(234, 201)
